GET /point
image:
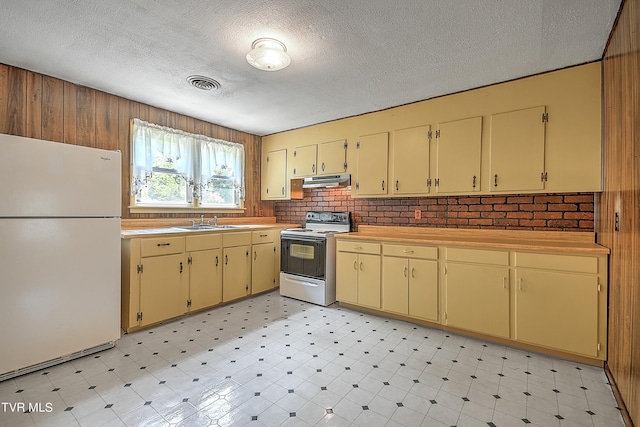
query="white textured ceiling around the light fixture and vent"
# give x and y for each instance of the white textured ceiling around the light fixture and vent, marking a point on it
(348, 57)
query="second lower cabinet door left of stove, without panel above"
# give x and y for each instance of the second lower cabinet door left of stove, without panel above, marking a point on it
(236, 273)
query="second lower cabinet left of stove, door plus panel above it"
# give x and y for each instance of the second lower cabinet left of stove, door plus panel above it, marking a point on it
(236, 271)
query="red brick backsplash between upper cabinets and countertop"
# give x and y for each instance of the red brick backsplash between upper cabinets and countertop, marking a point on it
(557, 212)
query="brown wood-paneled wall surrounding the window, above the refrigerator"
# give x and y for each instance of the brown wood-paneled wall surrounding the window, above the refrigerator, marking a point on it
(39, 106)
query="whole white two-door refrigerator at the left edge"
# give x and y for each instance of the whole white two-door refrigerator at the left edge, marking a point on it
(59, 252)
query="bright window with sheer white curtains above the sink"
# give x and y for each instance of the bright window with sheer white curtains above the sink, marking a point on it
(173, 168)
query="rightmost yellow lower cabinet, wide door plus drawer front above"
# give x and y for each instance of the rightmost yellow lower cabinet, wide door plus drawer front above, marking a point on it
(558, 302)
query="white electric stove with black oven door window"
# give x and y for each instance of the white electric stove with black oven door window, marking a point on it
(308, 257)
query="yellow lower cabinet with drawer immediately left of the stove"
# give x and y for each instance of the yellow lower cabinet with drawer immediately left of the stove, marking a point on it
(264, 267)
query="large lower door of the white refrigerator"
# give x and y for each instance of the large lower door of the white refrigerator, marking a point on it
(60, 283)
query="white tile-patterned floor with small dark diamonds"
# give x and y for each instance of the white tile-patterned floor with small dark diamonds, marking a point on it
(274, 361)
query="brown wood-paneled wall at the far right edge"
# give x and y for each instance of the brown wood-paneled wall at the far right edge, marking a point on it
(621, 68)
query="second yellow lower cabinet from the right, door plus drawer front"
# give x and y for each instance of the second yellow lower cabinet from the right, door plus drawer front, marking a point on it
(477, 291)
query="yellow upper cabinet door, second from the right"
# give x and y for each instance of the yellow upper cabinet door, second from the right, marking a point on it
(458, 156)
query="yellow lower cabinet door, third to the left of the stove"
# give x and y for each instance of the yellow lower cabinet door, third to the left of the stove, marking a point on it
(205, 278)
